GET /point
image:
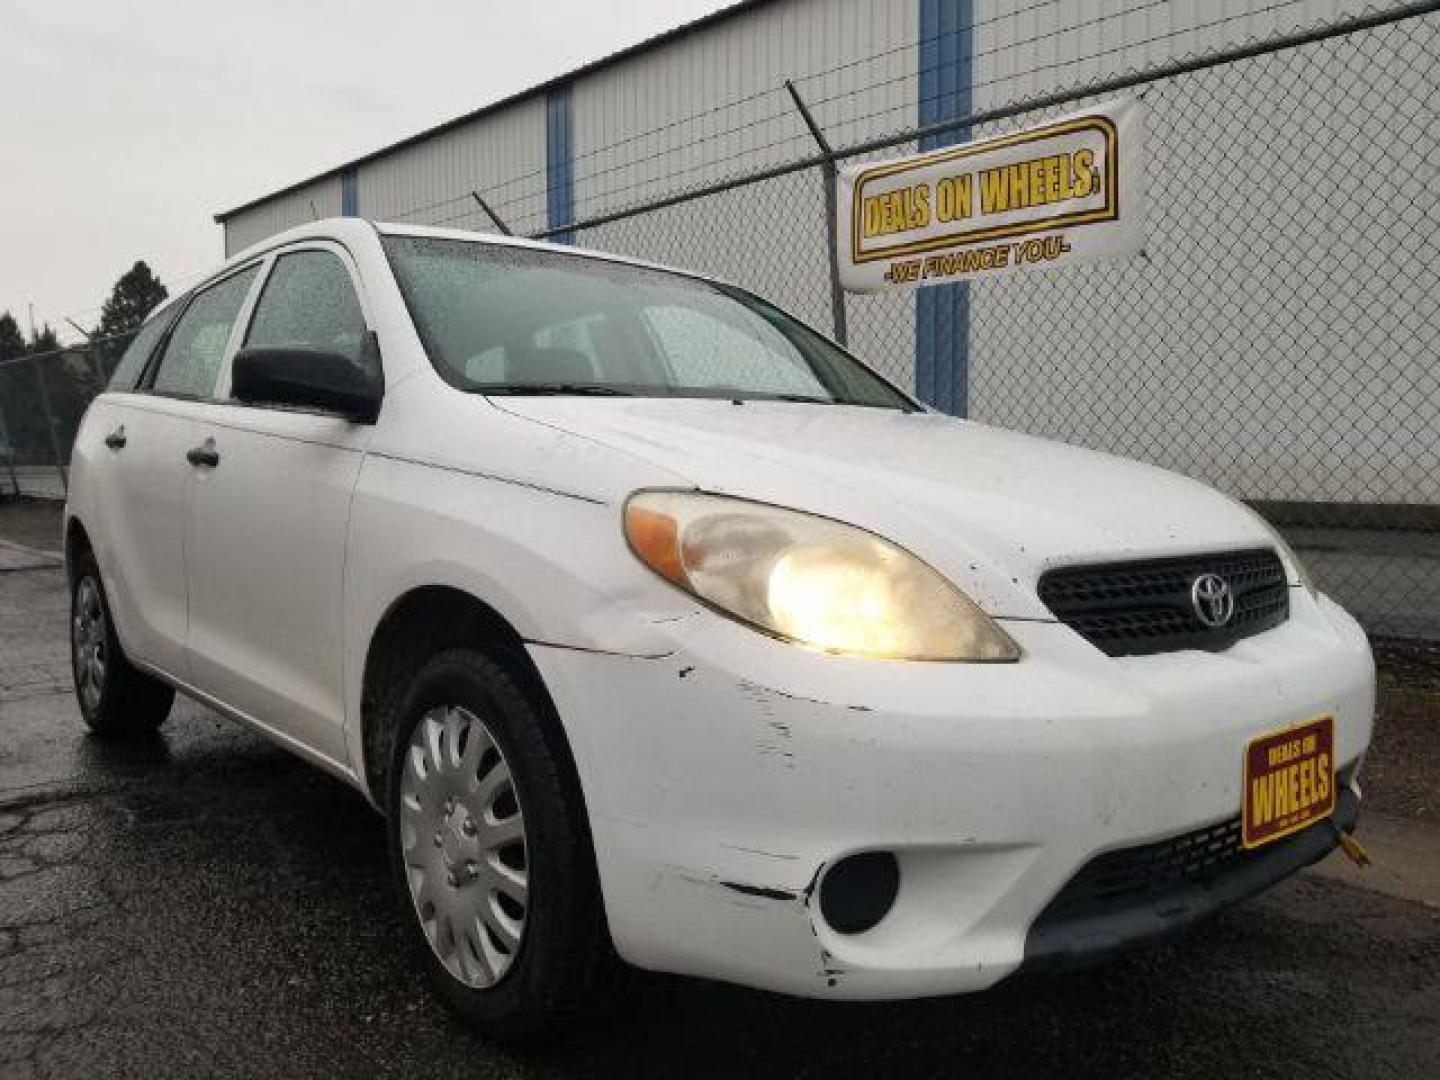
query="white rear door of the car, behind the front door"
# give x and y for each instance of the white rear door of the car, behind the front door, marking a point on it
(143, 479)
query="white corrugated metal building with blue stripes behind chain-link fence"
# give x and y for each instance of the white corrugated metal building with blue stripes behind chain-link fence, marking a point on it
(708, 102)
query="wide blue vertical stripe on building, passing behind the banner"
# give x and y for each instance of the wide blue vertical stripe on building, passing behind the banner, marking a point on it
(942, 313)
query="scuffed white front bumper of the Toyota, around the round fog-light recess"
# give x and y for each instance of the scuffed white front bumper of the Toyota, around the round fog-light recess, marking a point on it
(725, 778)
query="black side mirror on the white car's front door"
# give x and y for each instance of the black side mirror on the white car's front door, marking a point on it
(313, 379)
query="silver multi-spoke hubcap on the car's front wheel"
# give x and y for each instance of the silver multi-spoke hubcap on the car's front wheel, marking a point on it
(464, 842)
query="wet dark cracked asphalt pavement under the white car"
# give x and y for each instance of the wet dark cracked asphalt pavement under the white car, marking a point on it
(205, 905)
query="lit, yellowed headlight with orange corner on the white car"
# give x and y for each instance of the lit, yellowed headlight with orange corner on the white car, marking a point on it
(810, 580)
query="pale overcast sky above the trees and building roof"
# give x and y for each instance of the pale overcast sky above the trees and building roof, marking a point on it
(129, 126)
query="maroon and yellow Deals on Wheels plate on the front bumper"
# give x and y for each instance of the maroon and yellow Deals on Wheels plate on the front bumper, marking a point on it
(1290, 781)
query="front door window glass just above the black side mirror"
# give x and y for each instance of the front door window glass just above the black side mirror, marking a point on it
(310, 300)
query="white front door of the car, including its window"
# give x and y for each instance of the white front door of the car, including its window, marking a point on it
(270, 521)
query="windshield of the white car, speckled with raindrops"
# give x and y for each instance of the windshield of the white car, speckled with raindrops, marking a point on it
(515, 320)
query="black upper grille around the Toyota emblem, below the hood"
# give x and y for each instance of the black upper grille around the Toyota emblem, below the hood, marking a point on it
(1146, 607)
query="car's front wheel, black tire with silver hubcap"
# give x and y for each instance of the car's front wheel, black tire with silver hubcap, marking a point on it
(463, 726)
